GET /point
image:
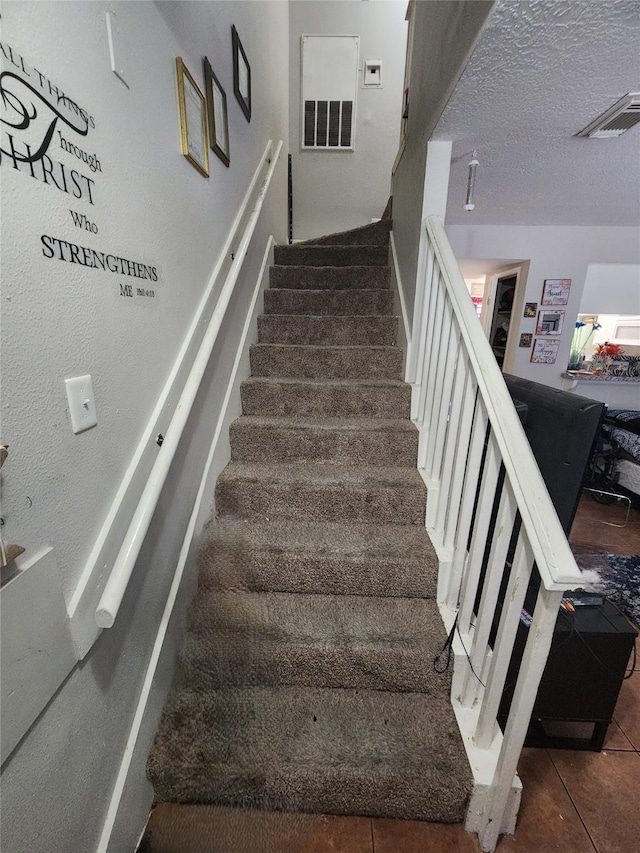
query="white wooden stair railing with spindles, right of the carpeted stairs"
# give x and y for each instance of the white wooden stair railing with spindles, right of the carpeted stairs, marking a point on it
(490, 518)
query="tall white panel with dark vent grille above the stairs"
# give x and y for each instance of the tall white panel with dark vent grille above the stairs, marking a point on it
(329, 84)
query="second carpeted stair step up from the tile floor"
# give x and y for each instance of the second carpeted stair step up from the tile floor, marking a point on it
(242, 638)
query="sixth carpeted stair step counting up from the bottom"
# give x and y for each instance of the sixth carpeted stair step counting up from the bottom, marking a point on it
(313, 398)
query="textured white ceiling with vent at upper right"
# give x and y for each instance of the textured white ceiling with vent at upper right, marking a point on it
(542, 70)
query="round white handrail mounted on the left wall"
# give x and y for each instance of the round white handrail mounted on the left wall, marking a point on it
(120, 575)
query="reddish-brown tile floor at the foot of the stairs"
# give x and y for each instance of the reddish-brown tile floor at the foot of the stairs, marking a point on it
(573, 802)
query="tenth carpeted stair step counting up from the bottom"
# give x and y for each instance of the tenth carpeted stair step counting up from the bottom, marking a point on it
(330, 278)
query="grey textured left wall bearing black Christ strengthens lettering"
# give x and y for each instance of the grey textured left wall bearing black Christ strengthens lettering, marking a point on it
(61, 319)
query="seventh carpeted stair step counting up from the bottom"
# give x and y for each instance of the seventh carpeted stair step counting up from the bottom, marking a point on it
(318, 362)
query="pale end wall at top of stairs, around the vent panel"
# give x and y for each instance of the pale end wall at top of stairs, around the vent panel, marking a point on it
(332, 190)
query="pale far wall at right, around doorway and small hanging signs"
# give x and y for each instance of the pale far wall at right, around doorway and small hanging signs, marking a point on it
(554, 252)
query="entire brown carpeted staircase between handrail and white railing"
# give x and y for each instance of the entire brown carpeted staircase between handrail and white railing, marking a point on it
(307, 680)
